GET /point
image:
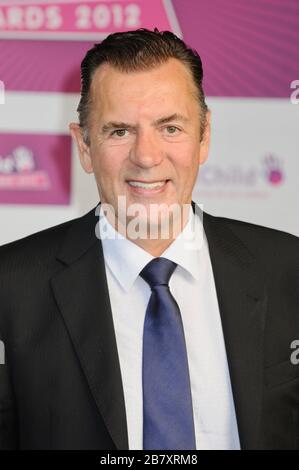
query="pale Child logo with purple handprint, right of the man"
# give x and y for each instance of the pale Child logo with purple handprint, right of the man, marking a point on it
(254, 180)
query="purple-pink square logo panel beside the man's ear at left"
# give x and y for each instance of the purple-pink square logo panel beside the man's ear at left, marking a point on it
(35, 168)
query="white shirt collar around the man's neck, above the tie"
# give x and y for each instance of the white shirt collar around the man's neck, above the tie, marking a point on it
(126, 259)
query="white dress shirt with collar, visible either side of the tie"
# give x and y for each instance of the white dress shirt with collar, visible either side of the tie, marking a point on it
(192, 285)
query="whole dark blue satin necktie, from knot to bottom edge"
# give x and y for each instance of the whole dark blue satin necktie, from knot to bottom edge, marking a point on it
(167, 402)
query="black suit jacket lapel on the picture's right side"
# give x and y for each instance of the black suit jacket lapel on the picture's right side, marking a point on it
(242, 305)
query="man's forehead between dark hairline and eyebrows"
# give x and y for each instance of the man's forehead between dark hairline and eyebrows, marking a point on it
(170, 80)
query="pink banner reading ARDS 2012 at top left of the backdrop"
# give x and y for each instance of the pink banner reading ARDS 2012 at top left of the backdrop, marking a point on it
(84, 20)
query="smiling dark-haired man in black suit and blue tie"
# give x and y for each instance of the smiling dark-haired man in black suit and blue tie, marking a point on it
(118, 341)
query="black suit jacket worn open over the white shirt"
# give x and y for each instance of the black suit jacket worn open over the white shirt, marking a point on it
(61, 386)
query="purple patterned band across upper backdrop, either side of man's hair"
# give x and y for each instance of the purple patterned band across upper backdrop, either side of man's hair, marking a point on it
(247, 48)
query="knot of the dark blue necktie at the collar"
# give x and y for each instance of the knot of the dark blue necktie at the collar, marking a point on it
(158, 271)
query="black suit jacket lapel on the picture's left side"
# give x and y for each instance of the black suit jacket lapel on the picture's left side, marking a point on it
(81, 292)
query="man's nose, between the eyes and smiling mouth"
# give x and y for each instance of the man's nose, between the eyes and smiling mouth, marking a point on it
(146, 151)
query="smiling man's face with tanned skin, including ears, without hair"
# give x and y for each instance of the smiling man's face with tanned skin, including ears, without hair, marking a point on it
(144, 126)
